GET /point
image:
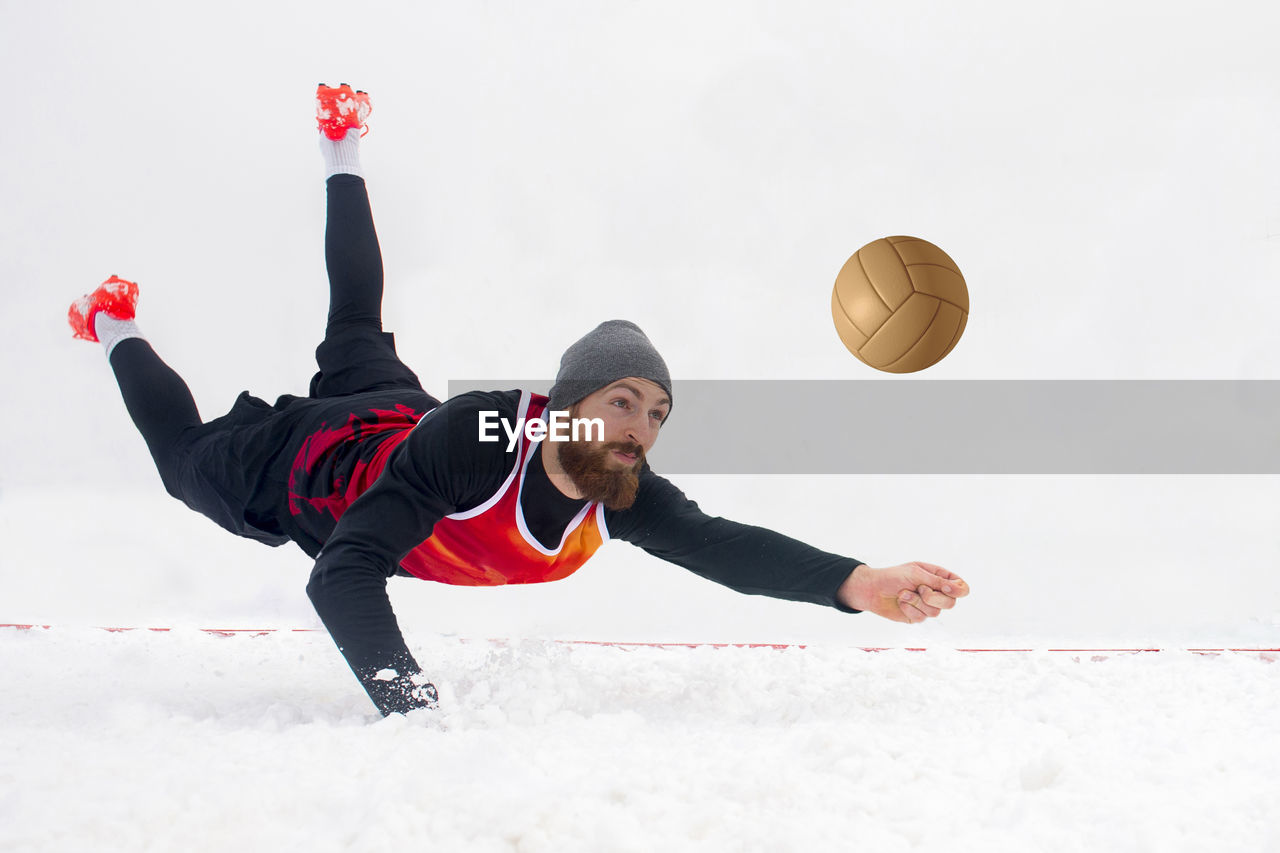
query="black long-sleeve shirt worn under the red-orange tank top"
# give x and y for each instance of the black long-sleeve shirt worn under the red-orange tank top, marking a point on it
(441, 469)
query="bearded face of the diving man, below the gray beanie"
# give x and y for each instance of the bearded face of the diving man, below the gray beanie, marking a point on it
(609, 472)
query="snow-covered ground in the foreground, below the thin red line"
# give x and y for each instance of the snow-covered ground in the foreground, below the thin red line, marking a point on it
(184, 741)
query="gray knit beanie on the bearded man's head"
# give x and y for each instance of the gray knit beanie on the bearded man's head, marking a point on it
(611, 352)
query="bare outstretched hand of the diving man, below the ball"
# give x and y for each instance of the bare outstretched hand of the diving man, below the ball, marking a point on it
(907, 594)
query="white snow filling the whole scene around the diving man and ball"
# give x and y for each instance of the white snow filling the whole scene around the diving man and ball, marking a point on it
(1104, 174)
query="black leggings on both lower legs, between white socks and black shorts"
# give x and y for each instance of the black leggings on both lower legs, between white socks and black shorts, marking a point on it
(161, 403)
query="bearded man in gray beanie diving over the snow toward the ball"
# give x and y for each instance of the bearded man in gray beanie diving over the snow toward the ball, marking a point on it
(373, 477)
